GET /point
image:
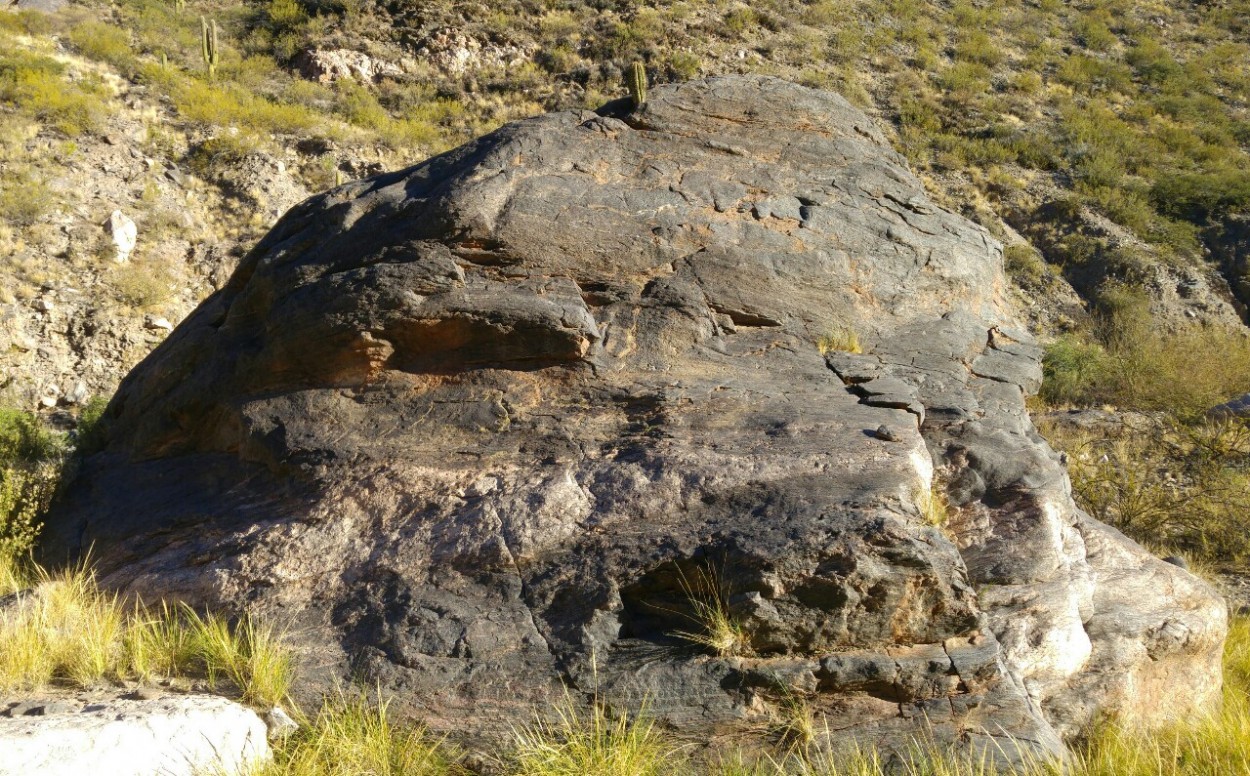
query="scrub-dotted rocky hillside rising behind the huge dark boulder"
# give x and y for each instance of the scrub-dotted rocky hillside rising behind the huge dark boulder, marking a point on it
(1103, 142)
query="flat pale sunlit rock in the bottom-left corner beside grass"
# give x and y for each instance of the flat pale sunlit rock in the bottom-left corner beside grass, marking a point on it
(173, 737)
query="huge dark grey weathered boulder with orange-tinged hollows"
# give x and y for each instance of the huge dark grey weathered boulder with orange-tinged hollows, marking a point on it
(518, 418)
